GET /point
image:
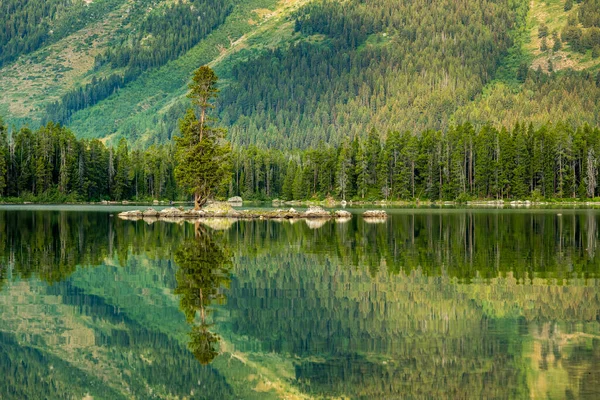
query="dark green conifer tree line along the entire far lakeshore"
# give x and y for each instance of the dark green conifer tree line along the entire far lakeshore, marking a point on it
(552, 161)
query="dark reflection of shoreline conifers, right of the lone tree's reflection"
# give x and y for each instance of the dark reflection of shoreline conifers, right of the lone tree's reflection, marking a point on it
(460, 243)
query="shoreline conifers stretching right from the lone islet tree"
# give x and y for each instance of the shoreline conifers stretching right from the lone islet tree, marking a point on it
(460, 164)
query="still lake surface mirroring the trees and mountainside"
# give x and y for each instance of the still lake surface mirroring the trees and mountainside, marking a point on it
(431, 303)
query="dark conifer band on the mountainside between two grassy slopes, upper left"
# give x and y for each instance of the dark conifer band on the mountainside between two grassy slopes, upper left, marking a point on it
(156, 39)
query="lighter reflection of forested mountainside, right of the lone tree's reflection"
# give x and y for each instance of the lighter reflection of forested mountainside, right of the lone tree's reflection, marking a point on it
(414, 336)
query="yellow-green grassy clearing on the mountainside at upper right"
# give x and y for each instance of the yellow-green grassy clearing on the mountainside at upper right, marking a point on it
(505, 93)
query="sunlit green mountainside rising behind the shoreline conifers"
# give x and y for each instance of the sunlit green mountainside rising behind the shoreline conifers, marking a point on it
(296, 73)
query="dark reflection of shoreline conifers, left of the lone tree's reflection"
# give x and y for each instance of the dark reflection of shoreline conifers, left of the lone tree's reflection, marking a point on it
(51, 244)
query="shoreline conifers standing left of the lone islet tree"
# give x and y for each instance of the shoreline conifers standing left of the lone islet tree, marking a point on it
(50, 165)
